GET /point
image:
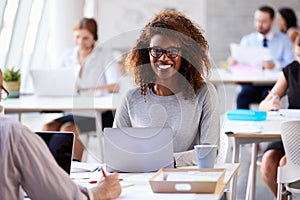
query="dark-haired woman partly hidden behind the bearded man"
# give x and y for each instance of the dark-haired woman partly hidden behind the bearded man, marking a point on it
(287, 22)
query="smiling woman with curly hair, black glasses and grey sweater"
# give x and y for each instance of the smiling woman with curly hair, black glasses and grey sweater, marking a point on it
(169, 62)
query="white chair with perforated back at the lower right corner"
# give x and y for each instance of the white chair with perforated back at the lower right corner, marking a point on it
(289, 175)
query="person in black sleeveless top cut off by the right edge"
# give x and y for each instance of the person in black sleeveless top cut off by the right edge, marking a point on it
(288, 82)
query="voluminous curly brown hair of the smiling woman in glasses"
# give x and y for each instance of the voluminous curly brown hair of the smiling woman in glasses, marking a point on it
(195, 63)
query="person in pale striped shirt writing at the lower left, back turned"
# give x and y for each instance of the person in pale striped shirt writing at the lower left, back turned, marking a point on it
(26, 162)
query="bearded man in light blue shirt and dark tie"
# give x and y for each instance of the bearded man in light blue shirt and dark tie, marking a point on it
(281, 50)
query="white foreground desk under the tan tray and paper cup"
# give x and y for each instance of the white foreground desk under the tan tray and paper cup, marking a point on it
(141, 188)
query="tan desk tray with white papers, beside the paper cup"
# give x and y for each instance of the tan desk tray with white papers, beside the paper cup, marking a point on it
(160, 183)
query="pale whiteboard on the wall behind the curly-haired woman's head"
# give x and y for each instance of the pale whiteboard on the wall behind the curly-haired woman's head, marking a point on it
(118, 17)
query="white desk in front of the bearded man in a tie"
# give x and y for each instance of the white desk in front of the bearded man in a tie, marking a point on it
(219, 75)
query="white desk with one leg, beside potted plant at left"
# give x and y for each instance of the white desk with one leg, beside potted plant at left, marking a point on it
(85, 106)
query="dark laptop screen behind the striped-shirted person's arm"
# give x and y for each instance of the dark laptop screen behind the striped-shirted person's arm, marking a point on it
(60, 145)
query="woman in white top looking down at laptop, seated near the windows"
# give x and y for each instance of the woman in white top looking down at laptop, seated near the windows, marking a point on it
(94, 72)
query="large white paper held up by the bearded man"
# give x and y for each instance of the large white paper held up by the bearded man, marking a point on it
(250, 55)
